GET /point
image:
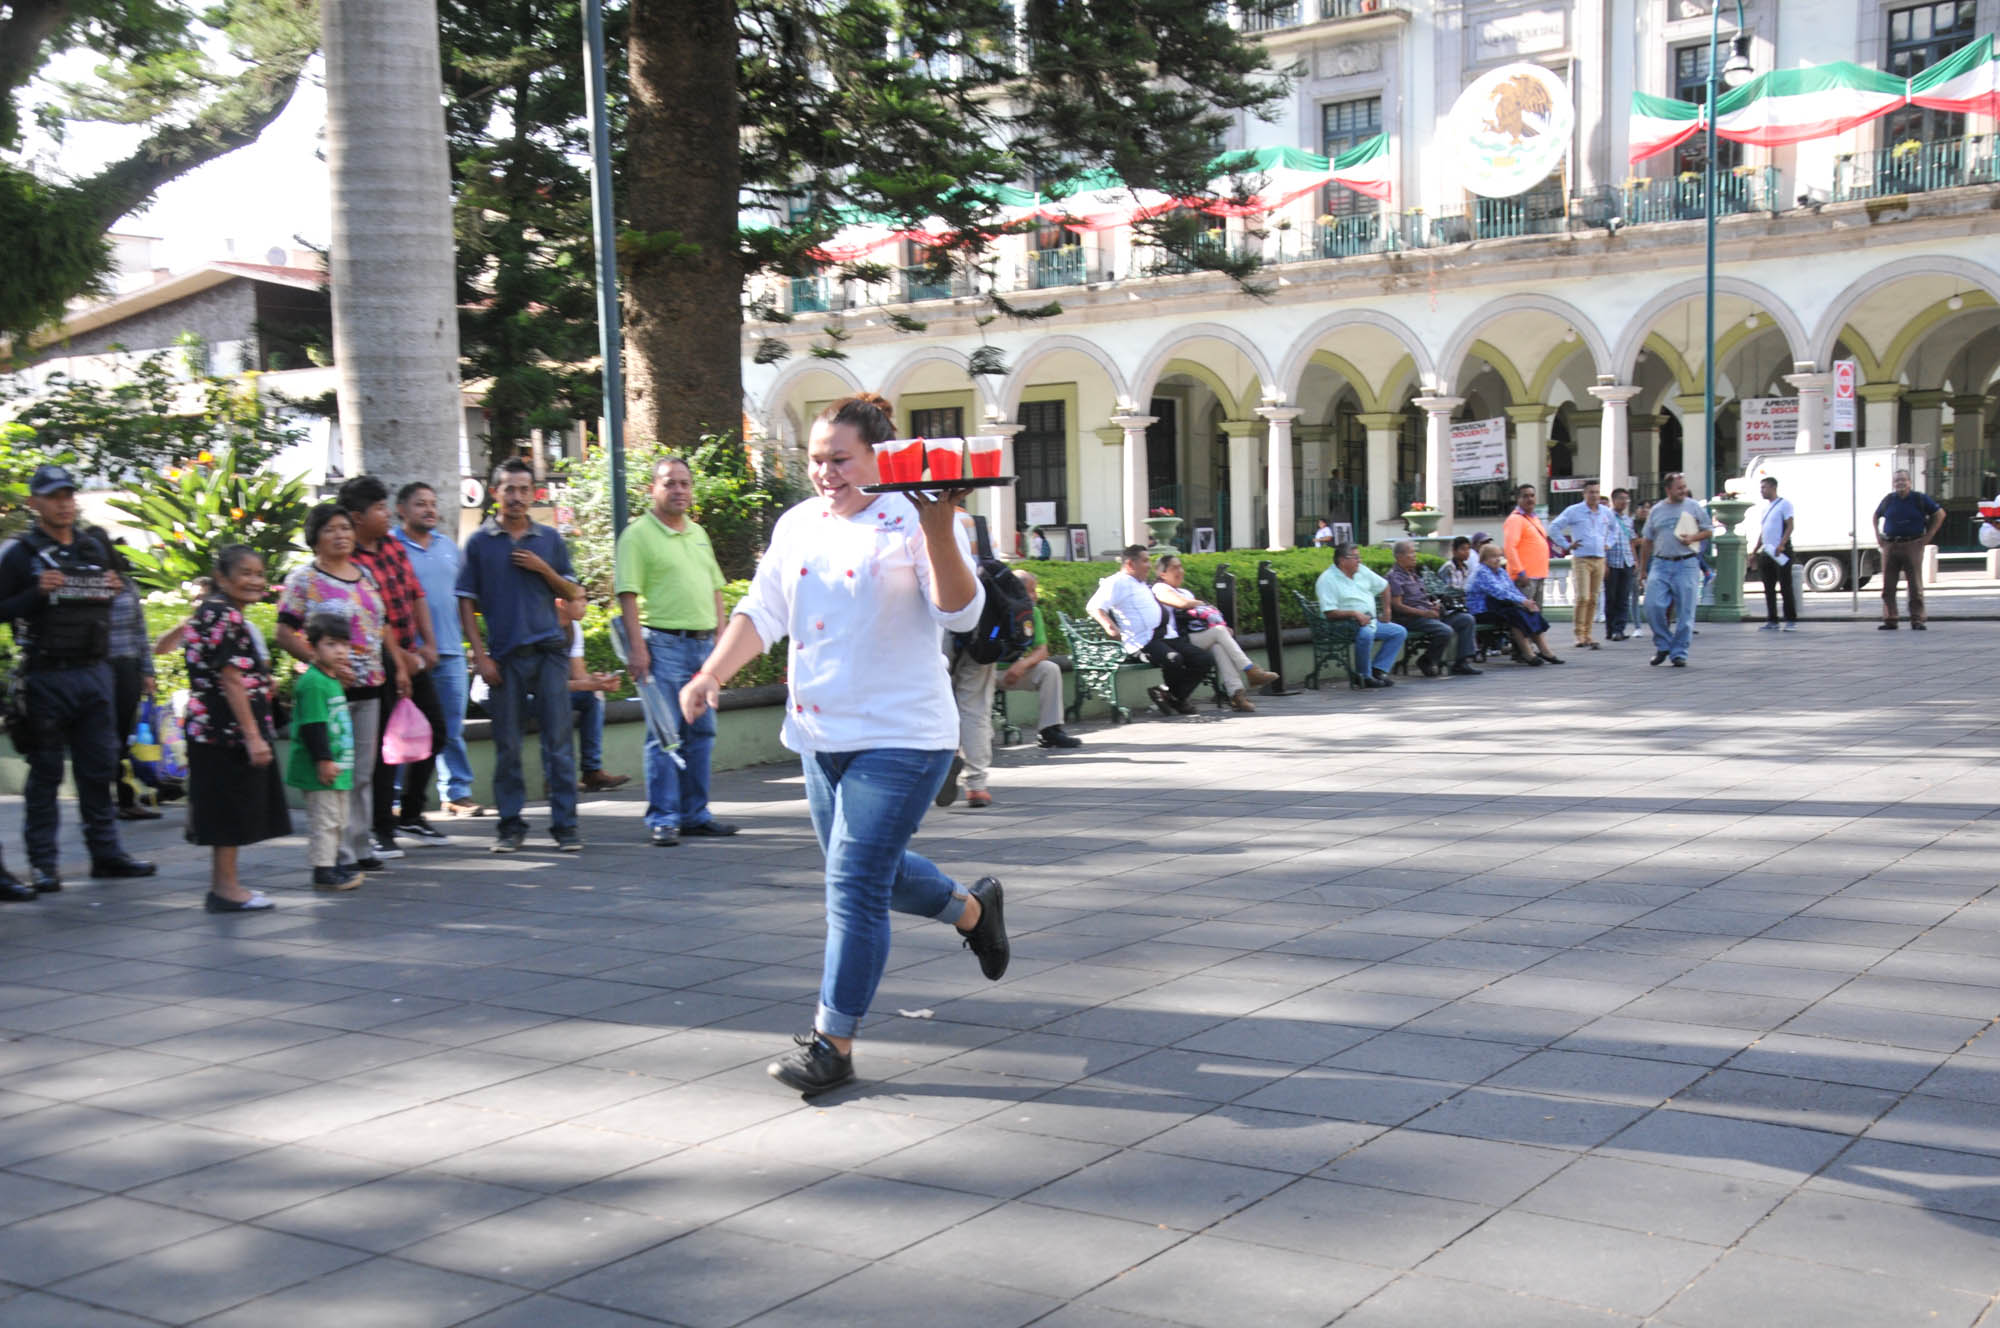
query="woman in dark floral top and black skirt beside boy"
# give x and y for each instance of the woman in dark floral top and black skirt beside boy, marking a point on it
(235, 789)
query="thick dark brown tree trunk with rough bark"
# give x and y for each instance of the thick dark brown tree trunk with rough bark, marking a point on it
(683, 301)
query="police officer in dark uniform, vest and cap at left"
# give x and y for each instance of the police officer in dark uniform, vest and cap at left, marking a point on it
(57, 589)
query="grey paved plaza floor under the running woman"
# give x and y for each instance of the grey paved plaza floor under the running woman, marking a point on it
(1593, 995)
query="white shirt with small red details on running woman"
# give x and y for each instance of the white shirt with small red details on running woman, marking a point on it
(853, 595)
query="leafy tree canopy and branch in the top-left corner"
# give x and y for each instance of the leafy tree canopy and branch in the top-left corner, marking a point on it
(155, 69)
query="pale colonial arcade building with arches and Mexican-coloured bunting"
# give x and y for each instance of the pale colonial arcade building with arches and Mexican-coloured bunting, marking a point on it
(1859, 219)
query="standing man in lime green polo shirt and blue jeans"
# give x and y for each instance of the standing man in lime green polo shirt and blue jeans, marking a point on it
(671, 597)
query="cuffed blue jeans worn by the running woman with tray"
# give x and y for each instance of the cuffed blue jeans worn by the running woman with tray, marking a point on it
(865, 809)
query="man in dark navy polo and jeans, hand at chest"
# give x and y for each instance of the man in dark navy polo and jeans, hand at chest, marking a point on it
(513, 575)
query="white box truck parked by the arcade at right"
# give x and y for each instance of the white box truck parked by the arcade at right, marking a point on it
(1833, 497)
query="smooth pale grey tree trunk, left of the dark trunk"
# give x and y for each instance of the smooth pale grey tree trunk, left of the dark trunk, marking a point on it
(395, 315)
